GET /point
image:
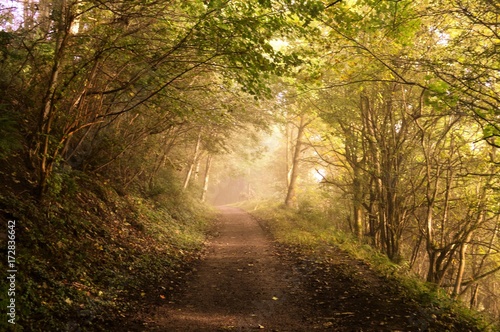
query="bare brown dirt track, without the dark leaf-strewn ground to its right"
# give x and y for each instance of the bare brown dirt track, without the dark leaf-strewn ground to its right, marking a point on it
(241, 285)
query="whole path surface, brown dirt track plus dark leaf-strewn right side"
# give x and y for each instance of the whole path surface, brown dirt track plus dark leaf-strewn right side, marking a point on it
(246, 282)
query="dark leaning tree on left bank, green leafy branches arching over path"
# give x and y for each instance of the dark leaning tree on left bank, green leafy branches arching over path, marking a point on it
(104, 60)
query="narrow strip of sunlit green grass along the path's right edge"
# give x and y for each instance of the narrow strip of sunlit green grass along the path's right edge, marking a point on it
(310, 230)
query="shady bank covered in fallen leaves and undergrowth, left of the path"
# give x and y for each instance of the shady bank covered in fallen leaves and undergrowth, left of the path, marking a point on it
(88, 256)
